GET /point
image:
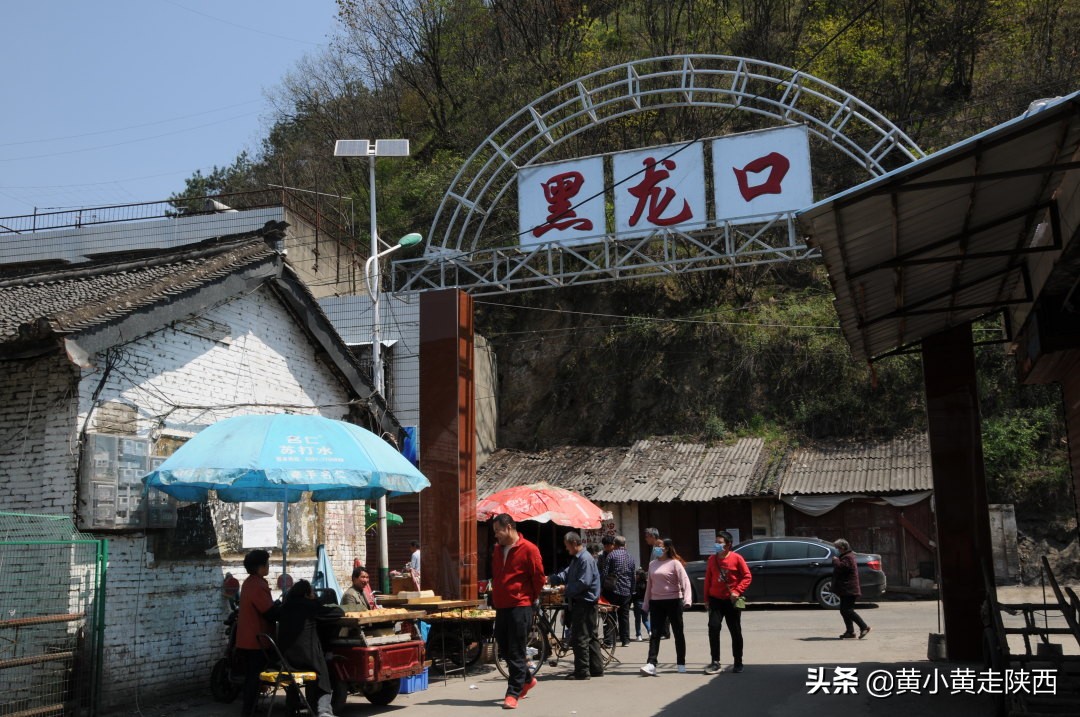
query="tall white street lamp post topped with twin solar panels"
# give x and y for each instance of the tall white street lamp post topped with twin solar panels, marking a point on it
(371, 151)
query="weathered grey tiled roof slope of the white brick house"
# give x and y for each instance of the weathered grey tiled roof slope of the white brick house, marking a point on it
(73, 300)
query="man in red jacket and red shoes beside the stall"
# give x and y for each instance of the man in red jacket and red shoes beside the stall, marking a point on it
(518, 577)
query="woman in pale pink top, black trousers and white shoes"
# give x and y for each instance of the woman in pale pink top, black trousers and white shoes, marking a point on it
(667, 594)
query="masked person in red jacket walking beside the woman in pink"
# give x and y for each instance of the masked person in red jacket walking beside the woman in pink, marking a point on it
(727, 578)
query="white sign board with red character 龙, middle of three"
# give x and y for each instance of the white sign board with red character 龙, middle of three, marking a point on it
(659, 188)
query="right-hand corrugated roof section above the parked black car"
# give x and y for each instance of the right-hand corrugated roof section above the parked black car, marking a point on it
(898, 466)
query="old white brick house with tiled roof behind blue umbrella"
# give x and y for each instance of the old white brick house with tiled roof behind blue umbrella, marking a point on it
(150, 351)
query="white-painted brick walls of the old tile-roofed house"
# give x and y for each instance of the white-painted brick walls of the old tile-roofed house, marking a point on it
(164, 618)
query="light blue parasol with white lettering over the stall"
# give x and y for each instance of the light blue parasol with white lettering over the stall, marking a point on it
(279, 458)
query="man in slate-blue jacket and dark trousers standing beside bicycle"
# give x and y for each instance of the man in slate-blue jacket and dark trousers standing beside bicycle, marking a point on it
(583, 583)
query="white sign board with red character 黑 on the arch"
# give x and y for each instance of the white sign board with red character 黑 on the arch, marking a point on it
(562, 202)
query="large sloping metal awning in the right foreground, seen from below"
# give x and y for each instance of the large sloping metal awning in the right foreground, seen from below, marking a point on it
(965, 233)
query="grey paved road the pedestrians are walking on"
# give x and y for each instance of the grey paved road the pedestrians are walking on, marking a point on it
(784, 645)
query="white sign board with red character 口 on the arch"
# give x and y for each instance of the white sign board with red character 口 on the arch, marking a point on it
(762, 173)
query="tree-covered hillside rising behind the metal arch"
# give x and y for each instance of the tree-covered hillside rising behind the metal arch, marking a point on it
(753, 349)
